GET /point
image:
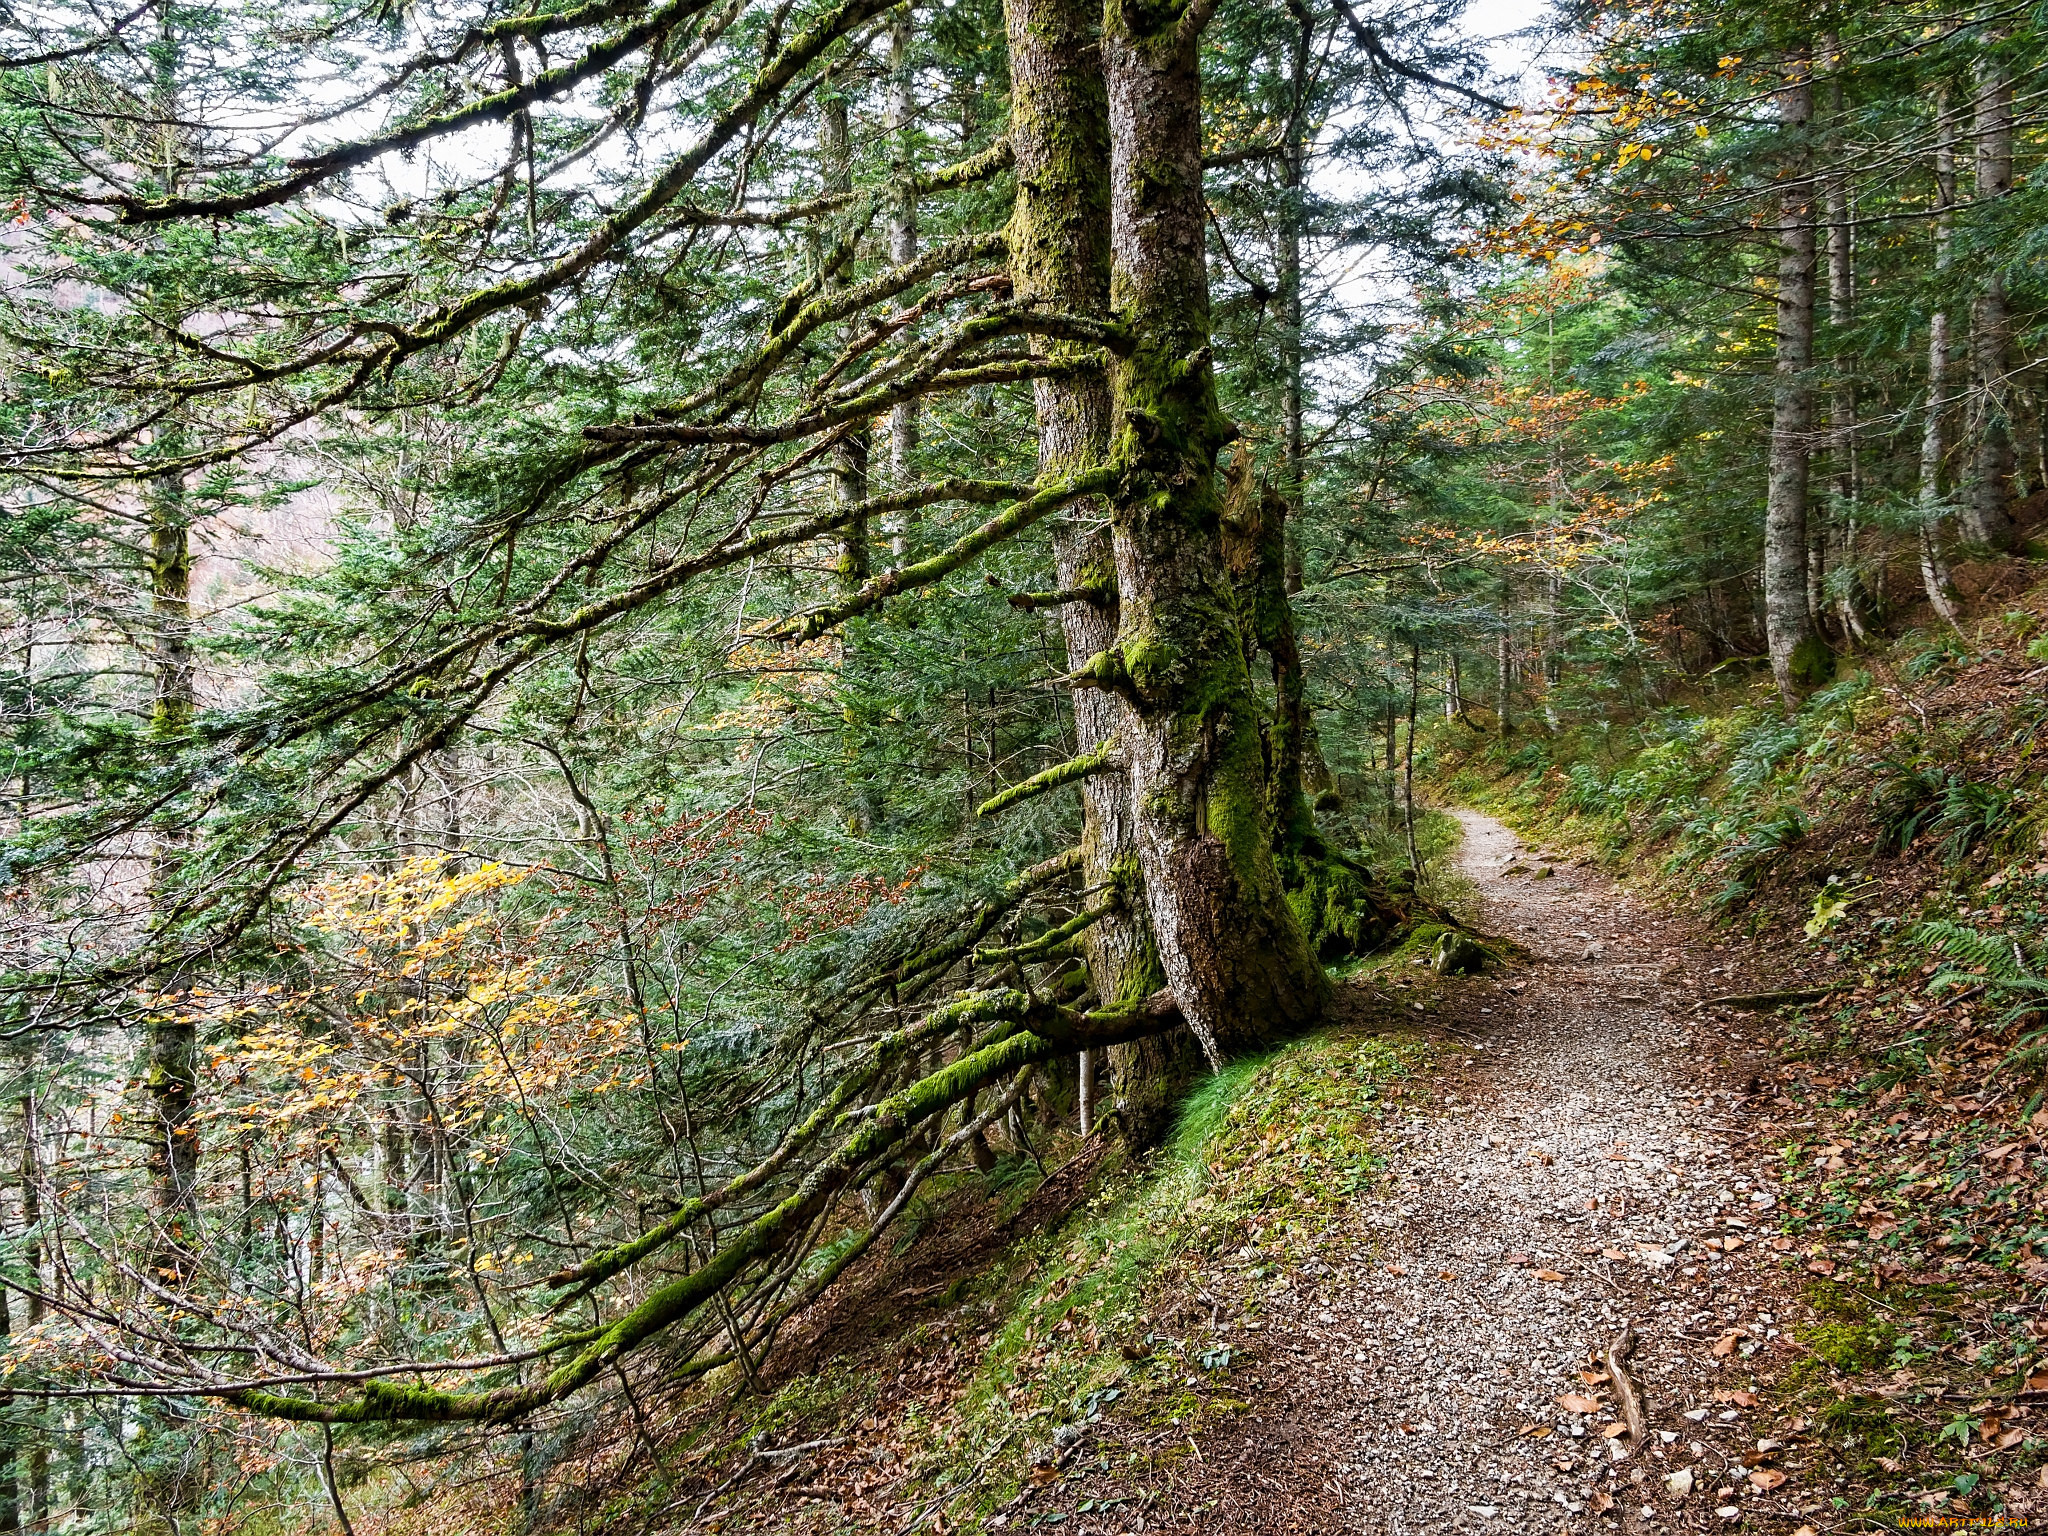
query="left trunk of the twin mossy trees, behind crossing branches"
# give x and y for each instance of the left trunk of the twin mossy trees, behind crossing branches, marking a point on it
(1060, 255)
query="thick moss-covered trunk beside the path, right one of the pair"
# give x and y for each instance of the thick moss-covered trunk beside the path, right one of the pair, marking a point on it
(1230, 945)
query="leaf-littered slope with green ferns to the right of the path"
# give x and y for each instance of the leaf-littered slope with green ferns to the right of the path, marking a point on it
(1885, 857)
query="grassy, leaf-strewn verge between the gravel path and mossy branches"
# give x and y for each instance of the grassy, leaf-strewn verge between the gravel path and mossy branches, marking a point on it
(1125, 1312)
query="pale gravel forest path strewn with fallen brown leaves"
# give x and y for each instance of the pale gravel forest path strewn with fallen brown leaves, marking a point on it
(1566, 1175)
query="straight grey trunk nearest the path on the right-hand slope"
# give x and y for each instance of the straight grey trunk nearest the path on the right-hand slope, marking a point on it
(1797, 654)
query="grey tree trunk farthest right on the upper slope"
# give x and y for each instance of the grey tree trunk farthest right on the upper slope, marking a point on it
(1986, 513)
